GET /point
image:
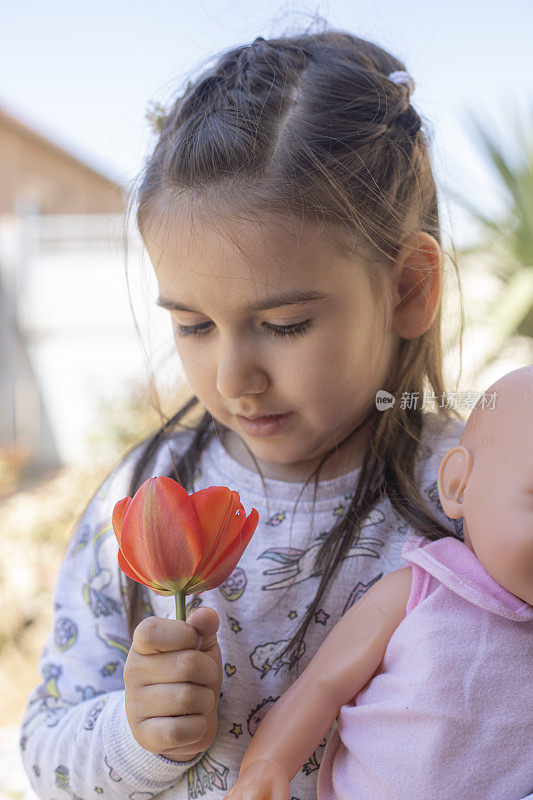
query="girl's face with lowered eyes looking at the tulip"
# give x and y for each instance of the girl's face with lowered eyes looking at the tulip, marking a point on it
(322, 360)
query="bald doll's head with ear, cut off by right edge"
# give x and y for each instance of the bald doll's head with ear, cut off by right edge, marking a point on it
(488, 480)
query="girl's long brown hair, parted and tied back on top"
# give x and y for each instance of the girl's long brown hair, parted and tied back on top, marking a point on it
(310, 125)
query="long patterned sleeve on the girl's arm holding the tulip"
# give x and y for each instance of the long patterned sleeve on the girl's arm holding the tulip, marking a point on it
(74, 732)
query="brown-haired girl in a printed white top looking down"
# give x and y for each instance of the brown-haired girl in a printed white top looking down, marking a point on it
(290, 213)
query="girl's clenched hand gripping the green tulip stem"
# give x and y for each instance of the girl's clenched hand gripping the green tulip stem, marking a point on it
(172, 680)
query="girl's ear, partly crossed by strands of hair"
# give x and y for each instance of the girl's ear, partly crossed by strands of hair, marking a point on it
(416, 285)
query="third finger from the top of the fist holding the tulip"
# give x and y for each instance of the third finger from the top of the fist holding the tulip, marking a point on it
(172, 700)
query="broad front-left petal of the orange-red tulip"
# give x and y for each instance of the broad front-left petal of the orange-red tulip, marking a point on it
(161, 533)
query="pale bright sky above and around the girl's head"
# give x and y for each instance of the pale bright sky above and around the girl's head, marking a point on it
(83, 73)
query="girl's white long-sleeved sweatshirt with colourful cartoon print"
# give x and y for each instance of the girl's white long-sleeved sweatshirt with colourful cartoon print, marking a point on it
(75, 737)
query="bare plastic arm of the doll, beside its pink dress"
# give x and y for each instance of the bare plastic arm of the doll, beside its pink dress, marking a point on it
(341, 667)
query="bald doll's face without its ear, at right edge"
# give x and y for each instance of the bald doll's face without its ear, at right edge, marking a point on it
(498, 496)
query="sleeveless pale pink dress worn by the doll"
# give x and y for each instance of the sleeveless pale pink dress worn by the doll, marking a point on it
(448, 714)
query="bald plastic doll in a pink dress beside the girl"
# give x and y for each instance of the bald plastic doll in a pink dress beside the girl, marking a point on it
(429, 673)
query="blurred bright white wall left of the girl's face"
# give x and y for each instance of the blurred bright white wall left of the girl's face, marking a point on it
(67, 282)
